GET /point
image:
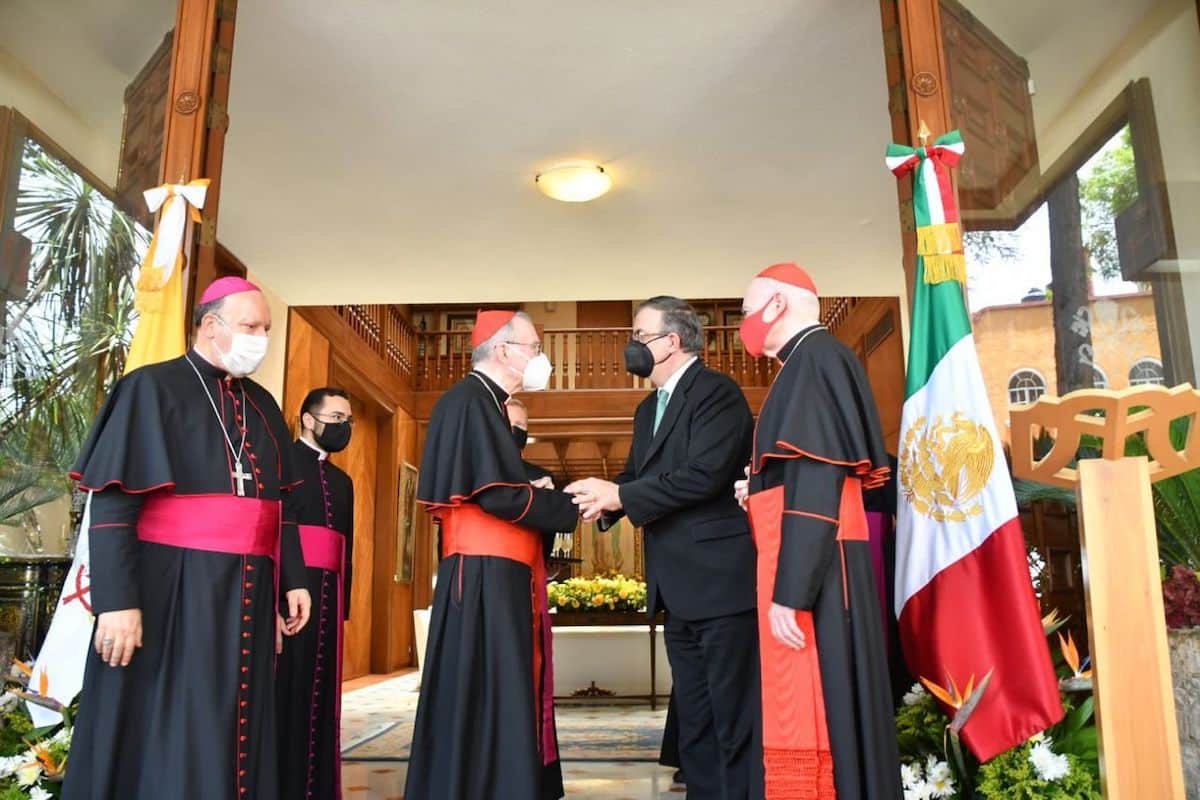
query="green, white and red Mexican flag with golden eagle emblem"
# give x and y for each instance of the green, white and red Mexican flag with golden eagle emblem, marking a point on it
(963, 590)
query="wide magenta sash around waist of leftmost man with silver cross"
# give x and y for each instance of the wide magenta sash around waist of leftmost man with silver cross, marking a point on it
(219, 524)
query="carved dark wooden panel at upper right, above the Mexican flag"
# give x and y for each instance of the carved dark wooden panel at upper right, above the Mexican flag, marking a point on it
(991, 104)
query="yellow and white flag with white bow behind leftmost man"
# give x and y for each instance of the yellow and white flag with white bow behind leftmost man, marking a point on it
(160, 335)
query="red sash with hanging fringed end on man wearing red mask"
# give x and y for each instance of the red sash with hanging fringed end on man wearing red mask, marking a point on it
(797, 757)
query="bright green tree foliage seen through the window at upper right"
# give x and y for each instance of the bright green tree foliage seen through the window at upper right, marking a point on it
(1109, 188)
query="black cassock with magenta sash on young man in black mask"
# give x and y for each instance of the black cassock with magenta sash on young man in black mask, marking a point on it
(310, 669)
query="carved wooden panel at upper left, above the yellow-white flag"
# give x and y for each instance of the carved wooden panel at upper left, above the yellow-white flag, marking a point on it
(146, 116)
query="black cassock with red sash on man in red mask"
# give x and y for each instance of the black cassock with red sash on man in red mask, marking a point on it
(827, 708)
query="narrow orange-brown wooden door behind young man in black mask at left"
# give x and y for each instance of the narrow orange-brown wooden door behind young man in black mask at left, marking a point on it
(361, 461)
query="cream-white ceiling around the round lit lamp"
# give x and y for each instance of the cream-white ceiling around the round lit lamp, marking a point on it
(386, 153)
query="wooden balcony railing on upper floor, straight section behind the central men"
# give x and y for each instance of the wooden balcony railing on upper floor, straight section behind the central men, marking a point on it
(585, 359)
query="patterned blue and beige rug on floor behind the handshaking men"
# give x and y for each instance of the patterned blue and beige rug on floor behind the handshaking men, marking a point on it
(377, 725)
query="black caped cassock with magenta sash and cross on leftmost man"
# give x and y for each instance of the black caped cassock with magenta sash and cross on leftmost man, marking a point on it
(189, 467)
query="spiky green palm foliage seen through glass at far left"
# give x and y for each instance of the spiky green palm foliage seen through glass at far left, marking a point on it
(64, 344)
